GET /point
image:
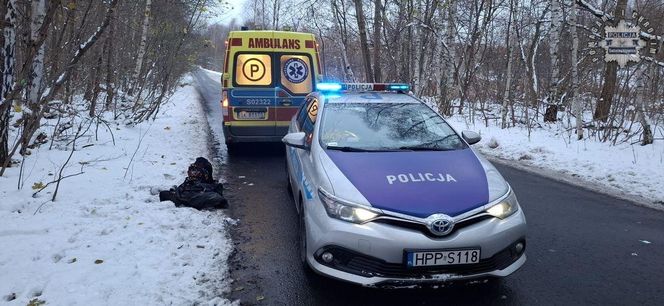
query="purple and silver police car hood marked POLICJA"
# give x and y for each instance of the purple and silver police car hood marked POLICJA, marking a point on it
(421, 183)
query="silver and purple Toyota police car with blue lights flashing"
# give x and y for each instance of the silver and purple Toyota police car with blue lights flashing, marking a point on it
(388, 194)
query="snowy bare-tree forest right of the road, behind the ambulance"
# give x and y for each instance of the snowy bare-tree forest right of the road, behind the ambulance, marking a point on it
(504, 62)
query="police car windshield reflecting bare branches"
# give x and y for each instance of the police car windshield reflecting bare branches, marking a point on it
(386, 127)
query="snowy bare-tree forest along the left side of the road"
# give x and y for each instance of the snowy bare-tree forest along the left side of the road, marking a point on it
(79, 64)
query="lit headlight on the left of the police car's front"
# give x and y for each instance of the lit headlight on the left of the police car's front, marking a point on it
(344, 210)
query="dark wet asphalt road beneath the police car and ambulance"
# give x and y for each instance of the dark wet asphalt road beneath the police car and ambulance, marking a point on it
(584, 248)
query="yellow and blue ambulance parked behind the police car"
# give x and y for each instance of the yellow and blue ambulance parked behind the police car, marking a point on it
(266, 76)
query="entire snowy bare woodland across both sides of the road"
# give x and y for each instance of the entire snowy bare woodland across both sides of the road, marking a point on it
(76, 65)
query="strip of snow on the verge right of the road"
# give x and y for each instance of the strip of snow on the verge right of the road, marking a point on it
(630, 171)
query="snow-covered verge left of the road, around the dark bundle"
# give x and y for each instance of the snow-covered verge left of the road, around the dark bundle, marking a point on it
(107, 240)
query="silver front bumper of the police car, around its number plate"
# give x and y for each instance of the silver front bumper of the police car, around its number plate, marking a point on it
(372, 254)
